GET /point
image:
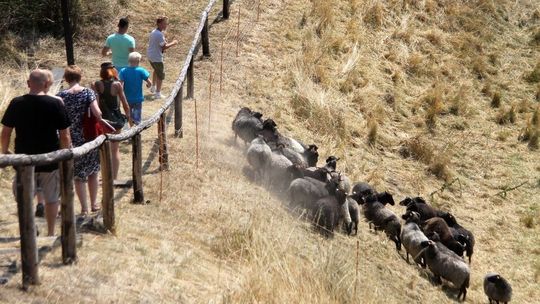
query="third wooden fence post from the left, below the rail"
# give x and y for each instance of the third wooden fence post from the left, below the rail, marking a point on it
(107, 184)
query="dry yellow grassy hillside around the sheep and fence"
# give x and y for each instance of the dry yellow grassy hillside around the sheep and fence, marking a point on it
(427, 98)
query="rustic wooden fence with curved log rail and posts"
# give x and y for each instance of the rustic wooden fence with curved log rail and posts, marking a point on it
(25, 164)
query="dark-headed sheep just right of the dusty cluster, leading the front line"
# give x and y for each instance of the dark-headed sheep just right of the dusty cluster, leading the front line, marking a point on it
(382, 218)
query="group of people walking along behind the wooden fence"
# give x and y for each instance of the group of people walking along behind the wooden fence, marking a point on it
(44, 122)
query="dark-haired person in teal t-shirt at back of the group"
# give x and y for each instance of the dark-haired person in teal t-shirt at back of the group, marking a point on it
(120, 44)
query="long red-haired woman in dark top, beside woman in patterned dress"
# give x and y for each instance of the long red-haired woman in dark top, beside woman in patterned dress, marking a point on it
(109, 90)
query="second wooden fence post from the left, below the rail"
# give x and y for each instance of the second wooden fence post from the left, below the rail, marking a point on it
(69, 233)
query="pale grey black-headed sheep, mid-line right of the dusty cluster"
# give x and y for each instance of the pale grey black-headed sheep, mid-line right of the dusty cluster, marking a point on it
(412, 237)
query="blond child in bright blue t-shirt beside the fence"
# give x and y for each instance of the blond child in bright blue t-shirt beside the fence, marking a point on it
(132, 78)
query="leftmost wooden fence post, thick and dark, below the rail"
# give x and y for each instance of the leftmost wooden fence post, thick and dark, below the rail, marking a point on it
(27, 226)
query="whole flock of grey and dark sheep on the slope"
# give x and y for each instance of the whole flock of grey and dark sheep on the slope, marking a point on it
(288, 167)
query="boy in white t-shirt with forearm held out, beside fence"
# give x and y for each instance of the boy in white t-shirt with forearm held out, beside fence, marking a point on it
(157, 44)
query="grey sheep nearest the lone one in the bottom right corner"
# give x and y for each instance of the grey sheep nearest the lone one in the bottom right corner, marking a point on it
(442, 262)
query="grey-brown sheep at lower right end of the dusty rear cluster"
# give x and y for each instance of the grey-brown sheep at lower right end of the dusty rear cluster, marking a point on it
(330, 211)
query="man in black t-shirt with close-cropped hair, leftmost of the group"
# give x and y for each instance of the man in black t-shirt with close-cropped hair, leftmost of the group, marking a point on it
(41, 125)
